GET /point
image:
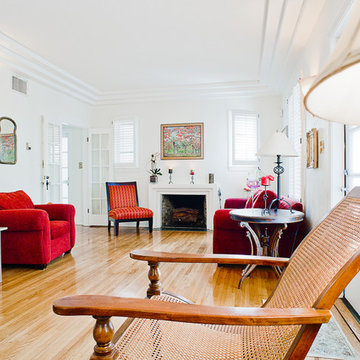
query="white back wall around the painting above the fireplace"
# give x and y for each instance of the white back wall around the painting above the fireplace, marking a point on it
(214, 115)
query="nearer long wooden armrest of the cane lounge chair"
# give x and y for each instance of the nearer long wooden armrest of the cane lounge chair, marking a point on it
(106, 306)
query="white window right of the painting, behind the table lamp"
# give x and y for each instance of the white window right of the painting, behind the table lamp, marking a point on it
(243, 139)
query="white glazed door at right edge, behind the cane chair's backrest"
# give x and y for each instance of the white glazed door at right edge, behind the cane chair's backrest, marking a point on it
(352, 179)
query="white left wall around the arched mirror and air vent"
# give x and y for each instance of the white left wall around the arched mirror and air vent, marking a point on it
(26, 111)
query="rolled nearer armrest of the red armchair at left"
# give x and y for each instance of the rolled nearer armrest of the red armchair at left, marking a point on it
(24, 219)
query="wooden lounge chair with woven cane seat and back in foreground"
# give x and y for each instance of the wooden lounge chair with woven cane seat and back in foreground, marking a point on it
(165, 327)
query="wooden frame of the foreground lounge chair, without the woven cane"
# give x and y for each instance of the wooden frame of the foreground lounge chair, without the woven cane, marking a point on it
(102, 308)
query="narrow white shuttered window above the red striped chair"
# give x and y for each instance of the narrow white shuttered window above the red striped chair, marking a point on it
(125, 154)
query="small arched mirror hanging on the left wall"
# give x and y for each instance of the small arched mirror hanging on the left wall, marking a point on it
(7, 141)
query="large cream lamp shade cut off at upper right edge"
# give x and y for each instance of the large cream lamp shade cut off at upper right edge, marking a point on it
(334, 94)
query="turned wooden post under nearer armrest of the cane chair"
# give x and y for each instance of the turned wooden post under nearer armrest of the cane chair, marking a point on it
(103, 334)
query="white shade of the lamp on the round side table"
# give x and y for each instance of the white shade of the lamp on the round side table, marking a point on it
(277, 144)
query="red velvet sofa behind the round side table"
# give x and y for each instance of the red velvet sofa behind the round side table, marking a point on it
(229, 238)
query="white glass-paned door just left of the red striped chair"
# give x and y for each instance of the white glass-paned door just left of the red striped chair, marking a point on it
(100, 172)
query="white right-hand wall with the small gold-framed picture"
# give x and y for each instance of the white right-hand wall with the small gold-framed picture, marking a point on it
(322, 185)
